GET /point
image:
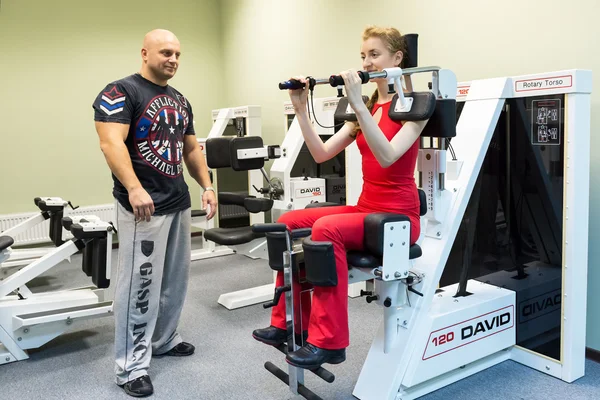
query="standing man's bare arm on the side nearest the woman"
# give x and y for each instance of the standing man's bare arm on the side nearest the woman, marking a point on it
(196, 165)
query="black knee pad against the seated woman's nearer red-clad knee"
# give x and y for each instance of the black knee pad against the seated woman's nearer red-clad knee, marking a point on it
(319, 263)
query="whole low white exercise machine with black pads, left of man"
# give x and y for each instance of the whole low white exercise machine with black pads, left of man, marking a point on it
(28, 320)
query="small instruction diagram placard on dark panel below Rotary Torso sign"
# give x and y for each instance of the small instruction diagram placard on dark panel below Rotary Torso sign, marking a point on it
(546, 127)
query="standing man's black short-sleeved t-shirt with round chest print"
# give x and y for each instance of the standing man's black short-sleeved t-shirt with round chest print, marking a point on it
(158, 118)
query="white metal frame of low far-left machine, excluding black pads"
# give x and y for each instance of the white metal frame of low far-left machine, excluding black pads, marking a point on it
(27, 320)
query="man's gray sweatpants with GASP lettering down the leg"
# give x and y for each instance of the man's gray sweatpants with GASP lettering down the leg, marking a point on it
(154, 262)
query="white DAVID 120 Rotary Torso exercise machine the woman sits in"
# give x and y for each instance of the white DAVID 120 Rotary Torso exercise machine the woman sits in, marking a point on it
(430, 336)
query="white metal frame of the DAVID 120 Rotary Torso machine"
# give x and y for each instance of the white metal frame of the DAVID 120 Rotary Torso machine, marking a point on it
(428, 342)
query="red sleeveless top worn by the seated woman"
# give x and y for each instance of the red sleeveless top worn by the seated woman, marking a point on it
(391, 189)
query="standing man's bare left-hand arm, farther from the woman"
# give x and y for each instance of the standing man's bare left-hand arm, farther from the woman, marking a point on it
(112, 143)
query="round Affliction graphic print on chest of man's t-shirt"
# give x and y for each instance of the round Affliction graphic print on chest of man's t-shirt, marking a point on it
(159, 135)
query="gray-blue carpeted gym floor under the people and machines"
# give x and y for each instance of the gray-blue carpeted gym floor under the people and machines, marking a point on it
(228, 363)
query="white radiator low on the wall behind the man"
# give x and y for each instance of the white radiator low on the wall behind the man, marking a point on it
(40, 233)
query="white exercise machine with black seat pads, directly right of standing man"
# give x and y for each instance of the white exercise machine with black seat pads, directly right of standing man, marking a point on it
(237, 211)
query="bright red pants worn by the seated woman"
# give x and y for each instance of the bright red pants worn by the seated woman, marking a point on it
(327, 320)
